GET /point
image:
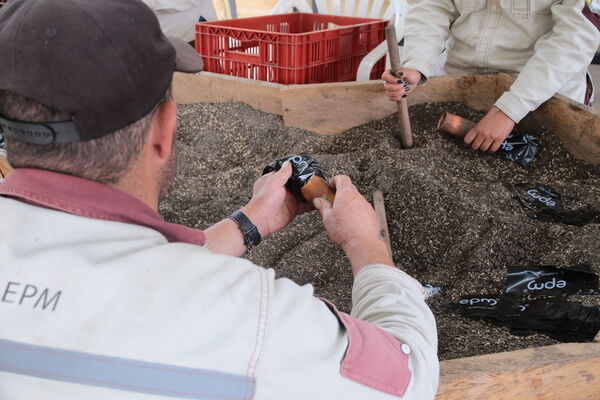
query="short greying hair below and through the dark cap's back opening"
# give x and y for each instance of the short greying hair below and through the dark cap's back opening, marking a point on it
(105, 160)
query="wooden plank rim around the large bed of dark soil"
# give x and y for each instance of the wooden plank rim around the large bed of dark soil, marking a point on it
(568, 371)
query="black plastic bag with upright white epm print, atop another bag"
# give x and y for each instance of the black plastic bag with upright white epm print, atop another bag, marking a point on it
(548, 280)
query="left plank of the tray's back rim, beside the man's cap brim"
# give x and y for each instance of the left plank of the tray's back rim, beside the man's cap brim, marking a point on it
(217, 88)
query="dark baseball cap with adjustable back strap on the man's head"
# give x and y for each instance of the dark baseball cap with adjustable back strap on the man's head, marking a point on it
(106, 62)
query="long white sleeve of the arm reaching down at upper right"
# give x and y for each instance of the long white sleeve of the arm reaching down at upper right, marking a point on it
(559, 55)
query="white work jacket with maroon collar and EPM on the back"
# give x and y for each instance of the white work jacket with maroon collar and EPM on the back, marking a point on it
(93, 307)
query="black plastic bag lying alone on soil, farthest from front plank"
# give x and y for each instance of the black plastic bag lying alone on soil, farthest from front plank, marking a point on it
(547, 204)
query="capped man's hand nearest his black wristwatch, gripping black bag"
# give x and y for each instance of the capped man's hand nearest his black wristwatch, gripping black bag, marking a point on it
(272, 207)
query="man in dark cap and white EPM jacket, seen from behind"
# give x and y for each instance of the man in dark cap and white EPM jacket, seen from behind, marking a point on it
(102, 299)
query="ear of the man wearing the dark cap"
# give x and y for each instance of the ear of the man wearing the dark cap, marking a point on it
(163, 127)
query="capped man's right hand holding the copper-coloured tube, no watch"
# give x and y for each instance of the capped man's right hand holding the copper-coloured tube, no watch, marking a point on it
(352, 224)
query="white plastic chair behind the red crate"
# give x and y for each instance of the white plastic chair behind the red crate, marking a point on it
(388, 9)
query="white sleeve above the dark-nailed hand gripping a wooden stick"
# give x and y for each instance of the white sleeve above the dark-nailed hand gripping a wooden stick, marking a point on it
(427, 29)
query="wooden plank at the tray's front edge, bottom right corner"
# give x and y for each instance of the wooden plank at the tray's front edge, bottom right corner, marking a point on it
(568, 371)
